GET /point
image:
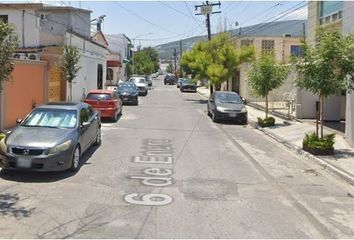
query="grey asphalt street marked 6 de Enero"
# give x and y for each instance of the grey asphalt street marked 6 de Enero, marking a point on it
(165, 170)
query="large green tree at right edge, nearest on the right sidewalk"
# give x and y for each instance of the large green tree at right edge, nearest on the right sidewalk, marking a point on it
(327, 68)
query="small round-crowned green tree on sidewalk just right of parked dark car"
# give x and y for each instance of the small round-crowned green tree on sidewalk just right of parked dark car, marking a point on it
(265, 75)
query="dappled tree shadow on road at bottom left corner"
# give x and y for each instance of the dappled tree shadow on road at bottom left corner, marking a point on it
(8, 206)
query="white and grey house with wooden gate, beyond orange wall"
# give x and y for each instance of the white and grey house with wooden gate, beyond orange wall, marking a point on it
(44, 29)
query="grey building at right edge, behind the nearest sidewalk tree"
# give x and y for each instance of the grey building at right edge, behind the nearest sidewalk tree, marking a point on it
(334, 15)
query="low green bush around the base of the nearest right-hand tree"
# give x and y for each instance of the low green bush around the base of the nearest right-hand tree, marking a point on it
(314, 142)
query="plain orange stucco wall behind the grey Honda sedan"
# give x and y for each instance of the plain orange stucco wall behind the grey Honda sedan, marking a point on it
(26, 87)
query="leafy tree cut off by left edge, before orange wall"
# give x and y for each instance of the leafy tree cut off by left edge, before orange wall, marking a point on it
(8, 44)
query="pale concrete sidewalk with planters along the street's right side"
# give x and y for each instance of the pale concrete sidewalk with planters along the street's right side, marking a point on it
(291, 133)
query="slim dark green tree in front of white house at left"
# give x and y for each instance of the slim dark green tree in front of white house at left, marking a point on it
(70, 66)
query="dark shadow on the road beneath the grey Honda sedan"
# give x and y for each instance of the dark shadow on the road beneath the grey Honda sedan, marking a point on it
(42, 177)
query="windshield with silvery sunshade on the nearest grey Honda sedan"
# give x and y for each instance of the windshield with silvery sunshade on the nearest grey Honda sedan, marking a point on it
(54, 118)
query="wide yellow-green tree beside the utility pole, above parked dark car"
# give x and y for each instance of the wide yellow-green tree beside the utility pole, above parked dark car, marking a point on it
(216, 60)
